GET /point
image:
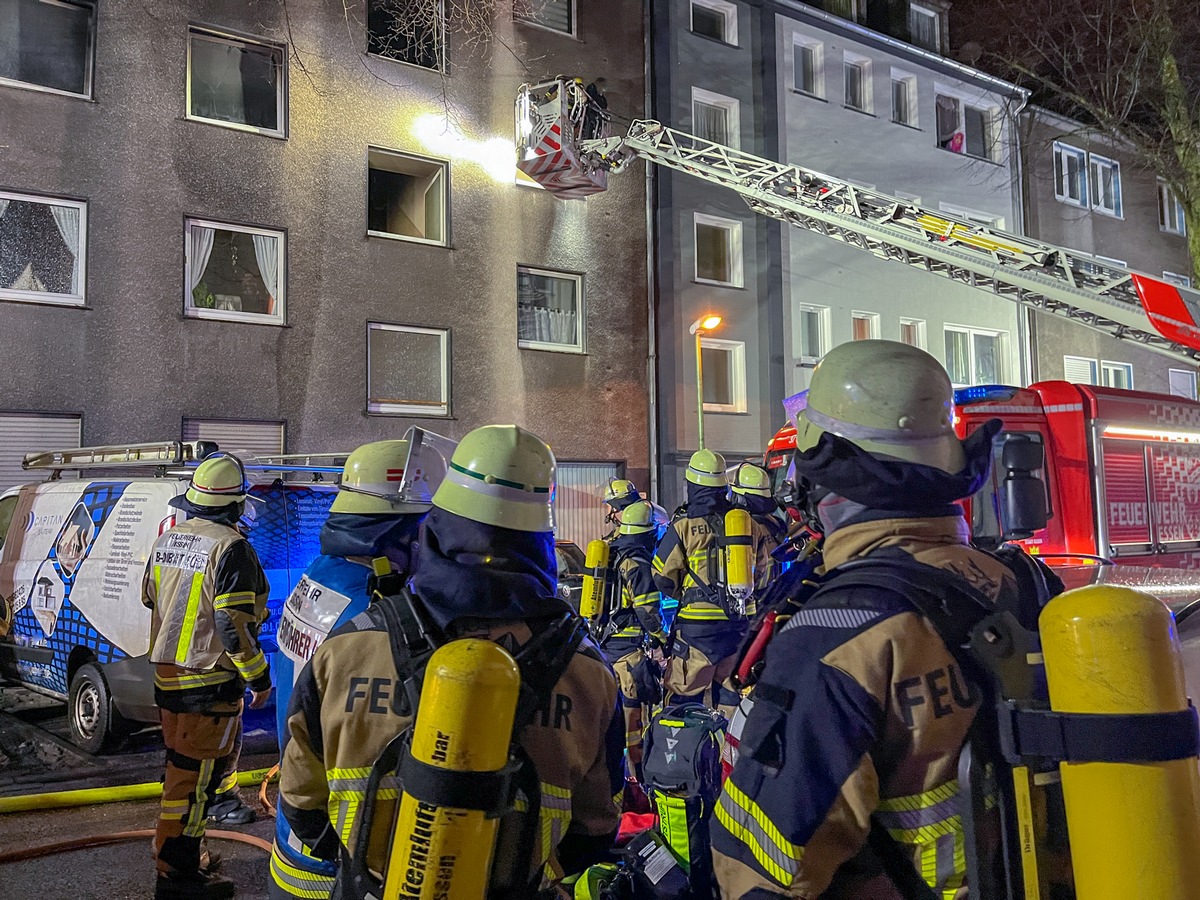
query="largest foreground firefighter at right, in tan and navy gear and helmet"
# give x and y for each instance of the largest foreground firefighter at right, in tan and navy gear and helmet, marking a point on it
(845, 783)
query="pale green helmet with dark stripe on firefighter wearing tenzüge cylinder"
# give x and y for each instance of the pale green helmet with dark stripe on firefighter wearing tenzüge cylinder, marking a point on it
(501, 476)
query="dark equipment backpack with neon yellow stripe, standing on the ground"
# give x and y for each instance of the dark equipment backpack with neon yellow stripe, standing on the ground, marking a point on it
(682, 764)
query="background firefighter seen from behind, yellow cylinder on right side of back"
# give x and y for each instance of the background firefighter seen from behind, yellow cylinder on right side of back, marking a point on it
(688, 567)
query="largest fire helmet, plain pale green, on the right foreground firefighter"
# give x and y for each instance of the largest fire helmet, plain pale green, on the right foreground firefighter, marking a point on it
(890, 399)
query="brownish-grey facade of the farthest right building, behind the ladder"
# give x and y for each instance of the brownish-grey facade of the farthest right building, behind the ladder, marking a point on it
(1085, 191)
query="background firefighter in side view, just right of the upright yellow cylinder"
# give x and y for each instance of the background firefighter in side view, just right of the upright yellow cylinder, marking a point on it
(635, 622)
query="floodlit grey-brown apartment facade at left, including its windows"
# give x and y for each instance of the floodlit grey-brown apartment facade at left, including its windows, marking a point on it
(299, 229)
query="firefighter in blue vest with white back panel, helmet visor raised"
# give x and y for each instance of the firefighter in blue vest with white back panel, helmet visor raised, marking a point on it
(370, 518)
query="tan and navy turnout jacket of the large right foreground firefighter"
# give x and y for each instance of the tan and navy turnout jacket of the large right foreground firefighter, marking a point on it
(863, 715)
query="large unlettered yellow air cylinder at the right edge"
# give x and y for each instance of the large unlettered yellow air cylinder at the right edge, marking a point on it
(1135, 829)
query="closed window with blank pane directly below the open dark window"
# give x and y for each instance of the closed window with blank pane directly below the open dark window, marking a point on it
(409, 370)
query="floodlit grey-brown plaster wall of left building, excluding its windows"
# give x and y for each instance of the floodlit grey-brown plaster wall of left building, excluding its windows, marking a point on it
(135, 365)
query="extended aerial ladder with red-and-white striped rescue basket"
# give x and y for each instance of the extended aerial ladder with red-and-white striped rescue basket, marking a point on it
(563, 145)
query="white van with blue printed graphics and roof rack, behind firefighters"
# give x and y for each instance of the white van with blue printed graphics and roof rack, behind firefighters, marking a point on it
(74, 551)
